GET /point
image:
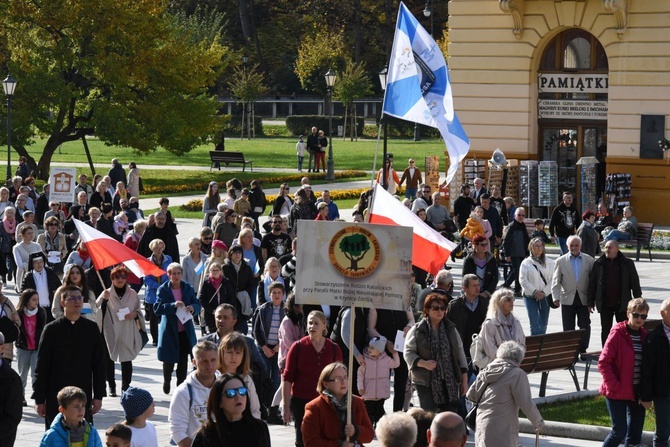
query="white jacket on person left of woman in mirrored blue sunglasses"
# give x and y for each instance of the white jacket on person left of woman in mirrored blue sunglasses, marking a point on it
(184, 420)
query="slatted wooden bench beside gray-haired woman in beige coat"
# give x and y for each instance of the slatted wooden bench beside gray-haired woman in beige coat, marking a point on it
(552, 352)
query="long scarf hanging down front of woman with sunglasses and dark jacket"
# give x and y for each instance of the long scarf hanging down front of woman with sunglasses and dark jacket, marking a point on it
(442, 379)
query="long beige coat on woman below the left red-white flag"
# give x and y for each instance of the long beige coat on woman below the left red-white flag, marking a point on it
(122, 337)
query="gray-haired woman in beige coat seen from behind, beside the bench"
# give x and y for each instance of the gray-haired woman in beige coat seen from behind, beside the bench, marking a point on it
(500, 390)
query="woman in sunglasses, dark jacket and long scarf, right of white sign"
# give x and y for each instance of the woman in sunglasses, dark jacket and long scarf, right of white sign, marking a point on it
(434, 353)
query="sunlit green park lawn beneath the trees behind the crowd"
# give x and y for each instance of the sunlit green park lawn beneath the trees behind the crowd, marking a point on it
(265, 152)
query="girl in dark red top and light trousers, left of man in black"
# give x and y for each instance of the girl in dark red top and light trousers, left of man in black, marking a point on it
(33, 318)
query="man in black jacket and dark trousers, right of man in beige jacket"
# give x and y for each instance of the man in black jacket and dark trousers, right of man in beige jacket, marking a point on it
(613, 282)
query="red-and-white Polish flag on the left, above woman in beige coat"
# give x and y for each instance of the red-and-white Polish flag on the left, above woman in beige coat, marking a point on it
(106, 252)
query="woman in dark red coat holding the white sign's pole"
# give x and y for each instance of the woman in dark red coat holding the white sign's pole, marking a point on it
(324, 424)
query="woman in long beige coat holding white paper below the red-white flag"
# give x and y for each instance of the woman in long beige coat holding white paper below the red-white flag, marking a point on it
(120, 308)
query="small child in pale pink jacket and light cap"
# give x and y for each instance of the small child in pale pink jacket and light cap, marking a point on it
(374, 379)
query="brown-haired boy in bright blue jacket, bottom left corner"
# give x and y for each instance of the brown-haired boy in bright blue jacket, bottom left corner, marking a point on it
(70, 428)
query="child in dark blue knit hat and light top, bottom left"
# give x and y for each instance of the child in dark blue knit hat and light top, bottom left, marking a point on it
(138, 406)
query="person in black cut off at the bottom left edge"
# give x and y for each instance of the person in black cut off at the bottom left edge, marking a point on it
(11, 410)
